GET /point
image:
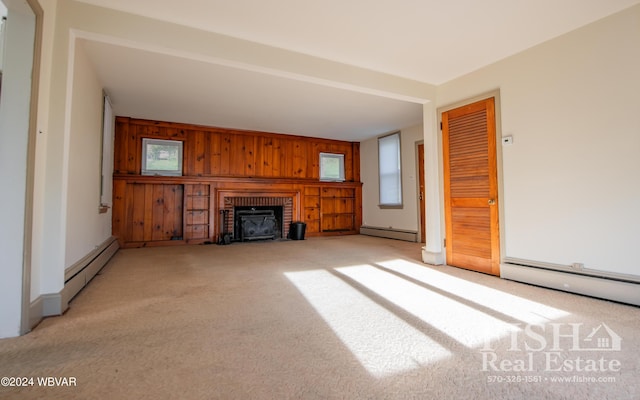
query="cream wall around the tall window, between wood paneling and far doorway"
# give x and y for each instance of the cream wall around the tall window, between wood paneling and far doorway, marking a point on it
(372, 215)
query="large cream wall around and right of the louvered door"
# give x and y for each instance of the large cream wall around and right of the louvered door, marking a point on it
(572, 176)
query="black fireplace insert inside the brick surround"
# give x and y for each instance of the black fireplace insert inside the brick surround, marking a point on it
(257, 222)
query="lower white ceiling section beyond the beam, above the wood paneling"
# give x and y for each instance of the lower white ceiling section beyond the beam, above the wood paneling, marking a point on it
(157, 86)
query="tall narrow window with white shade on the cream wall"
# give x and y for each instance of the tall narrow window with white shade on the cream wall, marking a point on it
(390, 171)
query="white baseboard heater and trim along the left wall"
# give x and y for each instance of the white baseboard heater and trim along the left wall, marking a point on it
(76, 278)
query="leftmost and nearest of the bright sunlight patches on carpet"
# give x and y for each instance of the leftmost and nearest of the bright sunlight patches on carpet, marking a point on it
(383, 343)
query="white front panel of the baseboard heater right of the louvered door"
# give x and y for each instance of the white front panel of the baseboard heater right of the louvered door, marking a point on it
(604, 288)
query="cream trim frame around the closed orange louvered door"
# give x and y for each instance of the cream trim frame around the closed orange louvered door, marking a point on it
(501, 220)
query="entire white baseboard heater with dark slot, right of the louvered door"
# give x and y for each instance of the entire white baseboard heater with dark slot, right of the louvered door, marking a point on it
(616, 287)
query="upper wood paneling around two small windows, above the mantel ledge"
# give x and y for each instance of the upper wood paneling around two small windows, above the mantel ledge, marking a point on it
(210, 151)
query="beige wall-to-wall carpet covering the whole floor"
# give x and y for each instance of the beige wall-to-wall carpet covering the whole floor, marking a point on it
(351, 317)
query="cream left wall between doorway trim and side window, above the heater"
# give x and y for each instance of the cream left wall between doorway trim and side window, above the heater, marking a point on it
(67, 225)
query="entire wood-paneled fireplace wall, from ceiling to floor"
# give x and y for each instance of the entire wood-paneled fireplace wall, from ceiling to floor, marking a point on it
(218, 163)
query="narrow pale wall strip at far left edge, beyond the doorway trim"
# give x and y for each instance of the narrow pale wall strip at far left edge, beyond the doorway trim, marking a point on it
(14, 136)
